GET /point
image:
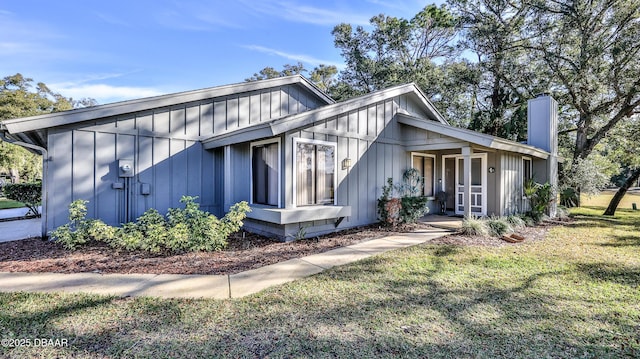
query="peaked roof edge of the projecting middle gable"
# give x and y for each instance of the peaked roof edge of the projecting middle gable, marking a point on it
(309, 118)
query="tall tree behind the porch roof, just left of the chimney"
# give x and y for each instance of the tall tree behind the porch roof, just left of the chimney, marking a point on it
(494, 31)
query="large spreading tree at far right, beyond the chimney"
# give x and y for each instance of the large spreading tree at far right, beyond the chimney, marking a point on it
(591, 50)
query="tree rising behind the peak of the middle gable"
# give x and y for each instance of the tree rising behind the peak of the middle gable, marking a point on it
(398, 51)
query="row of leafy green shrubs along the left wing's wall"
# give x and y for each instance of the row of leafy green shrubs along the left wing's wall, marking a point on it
(186, 229)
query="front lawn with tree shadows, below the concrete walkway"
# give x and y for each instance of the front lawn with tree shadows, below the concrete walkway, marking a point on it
(576, 294)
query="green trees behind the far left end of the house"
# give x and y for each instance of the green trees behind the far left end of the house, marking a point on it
(19, 98)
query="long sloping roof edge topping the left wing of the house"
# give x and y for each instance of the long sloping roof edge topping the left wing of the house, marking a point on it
(32, 123)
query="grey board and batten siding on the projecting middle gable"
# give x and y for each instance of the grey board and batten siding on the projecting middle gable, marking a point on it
(371, 137)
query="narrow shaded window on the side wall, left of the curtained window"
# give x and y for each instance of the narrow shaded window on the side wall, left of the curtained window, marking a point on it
(265, 172)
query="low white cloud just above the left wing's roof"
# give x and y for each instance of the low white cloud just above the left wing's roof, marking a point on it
(104, 93)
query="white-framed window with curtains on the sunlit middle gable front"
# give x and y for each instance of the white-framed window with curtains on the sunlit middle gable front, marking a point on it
(315, 164)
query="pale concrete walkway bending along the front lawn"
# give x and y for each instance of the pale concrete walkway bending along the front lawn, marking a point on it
(209, 286)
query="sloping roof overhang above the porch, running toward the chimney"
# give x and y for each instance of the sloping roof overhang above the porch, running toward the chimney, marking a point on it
(472, 137)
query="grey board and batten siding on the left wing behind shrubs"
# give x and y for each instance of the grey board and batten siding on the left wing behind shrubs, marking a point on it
(165, 145)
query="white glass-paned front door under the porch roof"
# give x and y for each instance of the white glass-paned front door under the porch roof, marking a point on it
(478, 184)
